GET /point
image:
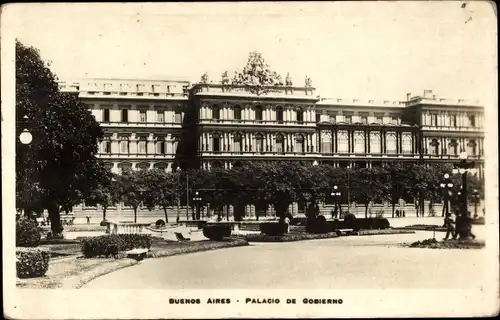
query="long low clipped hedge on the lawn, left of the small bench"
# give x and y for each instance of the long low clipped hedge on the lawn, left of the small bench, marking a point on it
(110, 245)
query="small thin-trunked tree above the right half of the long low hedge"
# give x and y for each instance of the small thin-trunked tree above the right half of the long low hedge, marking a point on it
(132, 189)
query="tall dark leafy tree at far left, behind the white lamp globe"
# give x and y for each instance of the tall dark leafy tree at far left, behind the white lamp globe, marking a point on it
(59, 166)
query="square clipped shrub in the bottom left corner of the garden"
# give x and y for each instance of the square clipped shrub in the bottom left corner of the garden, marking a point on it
(32, 262)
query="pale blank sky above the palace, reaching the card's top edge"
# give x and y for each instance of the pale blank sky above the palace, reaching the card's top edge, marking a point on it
(363, 50)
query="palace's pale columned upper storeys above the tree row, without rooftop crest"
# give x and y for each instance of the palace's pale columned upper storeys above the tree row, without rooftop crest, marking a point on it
(176, 124)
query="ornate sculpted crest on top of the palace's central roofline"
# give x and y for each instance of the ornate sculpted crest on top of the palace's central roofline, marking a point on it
(257, 75)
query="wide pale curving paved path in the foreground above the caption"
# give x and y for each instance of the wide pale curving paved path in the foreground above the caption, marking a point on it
(363, 262)
